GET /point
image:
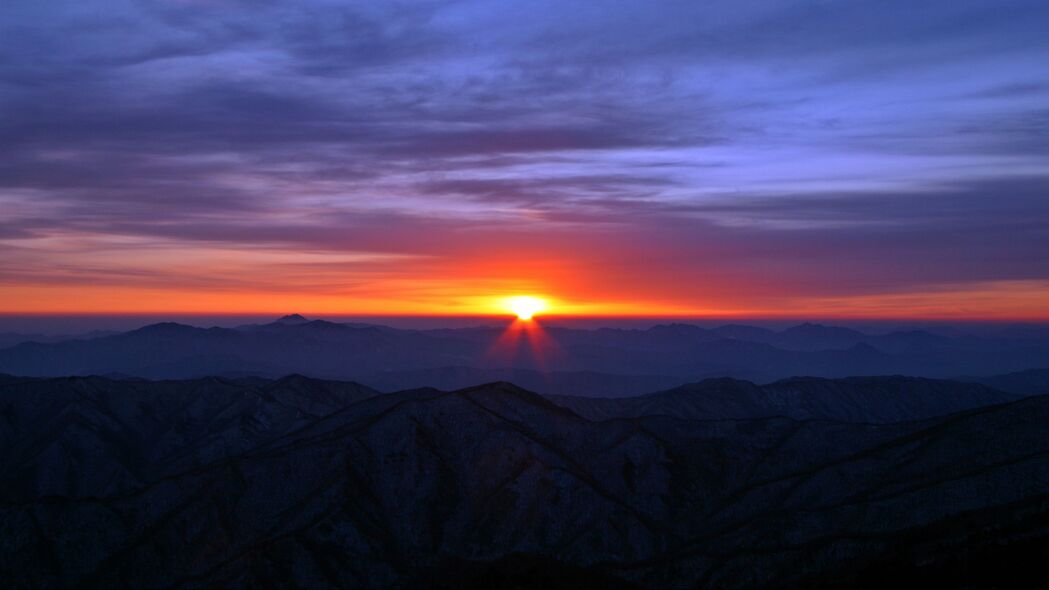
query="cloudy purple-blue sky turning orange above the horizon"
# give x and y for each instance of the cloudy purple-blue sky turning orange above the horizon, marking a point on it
(701, 159)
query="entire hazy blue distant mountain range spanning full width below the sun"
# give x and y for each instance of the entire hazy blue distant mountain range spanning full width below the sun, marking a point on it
(568, 362)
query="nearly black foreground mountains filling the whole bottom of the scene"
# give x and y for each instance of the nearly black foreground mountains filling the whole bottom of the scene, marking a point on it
(254, 483)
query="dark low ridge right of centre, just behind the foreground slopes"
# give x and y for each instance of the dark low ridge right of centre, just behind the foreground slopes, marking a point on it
(855, 399)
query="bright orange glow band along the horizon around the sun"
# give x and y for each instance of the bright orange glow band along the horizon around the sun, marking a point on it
(993, 302)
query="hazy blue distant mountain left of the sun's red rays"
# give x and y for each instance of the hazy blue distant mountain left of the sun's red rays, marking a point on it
(176, 351)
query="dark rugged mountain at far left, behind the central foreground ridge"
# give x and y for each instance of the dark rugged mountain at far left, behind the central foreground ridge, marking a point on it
(101, 436)
